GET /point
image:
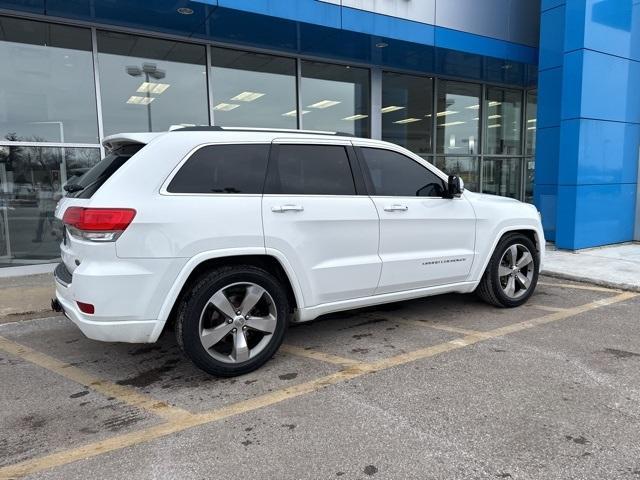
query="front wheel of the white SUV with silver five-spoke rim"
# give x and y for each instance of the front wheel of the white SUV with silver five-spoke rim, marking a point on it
(507, 283)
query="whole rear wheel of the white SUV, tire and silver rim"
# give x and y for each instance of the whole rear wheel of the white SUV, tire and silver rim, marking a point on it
(218, 328)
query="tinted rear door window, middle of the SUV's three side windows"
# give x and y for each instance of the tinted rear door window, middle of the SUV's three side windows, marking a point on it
(310, 170)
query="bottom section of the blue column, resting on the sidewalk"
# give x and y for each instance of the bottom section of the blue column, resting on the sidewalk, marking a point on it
(593, 215)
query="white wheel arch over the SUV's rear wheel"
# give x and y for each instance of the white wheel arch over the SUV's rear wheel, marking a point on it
(199, 265)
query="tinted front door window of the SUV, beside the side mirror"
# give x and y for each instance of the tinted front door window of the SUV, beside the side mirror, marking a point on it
(393, 174)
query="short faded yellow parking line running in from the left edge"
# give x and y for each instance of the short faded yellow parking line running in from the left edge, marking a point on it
(121, 392)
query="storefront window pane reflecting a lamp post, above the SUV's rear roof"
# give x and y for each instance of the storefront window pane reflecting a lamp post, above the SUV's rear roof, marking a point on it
(147, 84)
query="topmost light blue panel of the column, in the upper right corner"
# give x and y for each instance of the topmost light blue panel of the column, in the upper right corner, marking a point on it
(608, 26)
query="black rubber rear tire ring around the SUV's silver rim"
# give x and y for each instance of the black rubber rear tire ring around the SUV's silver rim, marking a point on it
(202, 292)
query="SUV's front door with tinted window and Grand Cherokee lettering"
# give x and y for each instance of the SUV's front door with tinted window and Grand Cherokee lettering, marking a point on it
(425, 239)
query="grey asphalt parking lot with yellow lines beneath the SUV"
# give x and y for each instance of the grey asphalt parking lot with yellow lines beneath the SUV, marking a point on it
(438, 388)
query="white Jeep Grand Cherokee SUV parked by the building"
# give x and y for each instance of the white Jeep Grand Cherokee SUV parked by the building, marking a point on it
(233, 233)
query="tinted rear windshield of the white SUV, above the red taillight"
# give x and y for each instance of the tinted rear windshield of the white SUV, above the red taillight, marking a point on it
(93, 179)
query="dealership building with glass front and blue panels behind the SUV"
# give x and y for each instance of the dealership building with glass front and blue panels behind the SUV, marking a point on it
(538, 100)
